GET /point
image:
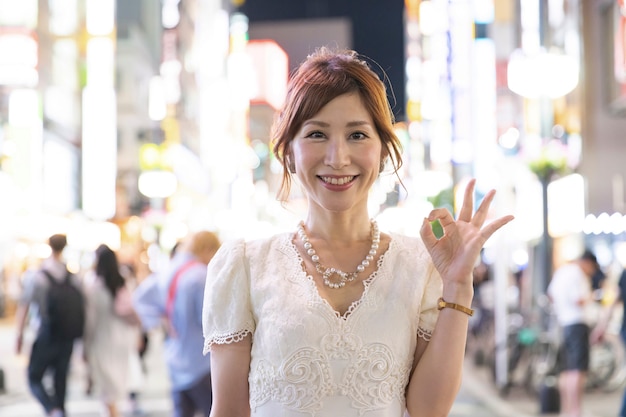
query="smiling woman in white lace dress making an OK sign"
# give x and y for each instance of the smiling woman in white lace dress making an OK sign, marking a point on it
(338, 319)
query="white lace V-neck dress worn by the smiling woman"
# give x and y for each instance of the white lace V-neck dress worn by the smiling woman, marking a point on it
(307, 360)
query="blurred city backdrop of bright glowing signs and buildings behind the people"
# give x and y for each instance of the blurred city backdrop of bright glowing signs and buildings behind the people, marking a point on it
(135, 123)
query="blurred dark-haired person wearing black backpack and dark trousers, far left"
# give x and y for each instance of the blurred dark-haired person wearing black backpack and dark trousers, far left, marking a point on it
(55, 296)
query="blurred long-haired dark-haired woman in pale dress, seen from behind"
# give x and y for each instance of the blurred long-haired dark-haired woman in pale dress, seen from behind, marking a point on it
(111, 333)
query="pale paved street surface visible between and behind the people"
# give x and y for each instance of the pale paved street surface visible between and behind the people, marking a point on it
(477, 398)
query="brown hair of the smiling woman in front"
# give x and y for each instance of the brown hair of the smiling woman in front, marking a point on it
(323, 76)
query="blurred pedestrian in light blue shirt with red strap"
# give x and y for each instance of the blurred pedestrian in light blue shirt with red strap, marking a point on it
(174, 298)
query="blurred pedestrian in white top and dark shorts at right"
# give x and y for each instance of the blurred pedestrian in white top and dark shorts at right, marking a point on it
(571, 296)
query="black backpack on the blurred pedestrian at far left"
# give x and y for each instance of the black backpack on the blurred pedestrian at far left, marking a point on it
(66, 308)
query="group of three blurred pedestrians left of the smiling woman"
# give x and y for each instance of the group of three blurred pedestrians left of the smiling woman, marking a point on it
(105, 313)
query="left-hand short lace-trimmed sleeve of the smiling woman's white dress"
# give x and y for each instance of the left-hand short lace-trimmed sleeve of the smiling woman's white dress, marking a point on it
(226, 312)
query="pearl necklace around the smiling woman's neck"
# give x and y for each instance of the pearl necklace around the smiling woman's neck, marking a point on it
(326, 272)
